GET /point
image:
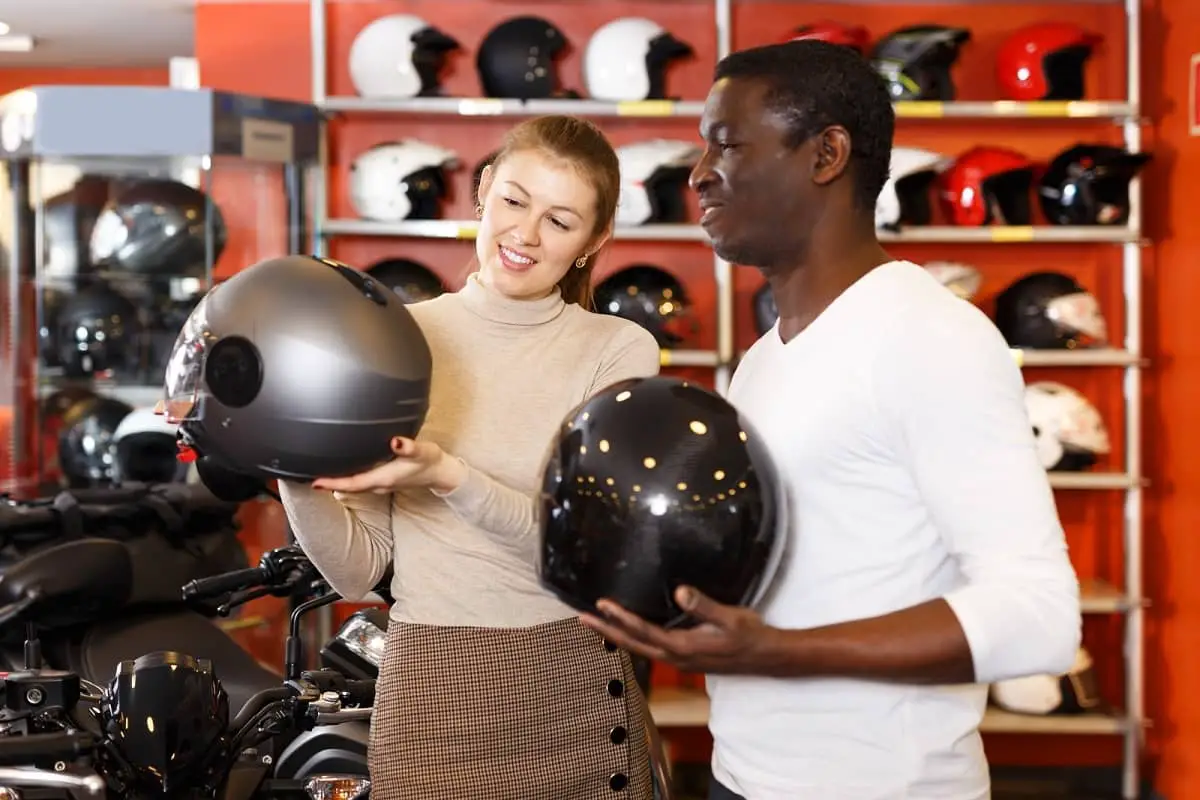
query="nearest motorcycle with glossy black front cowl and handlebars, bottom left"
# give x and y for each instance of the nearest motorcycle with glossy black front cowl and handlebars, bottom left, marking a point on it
(161, 727)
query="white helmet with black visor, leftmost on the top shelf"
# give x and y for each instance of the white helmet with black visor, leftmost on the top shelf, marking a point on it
(399, 57)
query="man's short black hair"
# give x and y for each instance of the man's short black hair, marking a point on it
(817, 85)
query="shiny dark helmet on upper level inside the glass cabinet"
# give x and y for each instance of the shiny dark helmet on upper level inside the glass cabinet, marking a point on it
(158, 227)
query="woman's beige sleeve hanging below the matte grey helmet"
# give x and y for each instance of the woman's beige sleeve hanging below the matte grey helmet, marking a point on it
(347, 537)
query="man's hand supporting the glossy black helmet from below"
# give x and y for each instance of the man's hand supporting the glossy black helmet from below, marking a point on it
(729, 640)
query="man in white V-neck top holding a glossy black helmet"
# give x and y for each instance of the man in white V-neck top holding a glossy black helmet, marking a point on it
(925, 555)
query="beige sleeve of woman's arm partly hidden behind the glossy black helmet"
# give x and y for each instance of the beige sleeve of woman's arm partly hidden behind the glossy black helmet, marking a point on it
(512, 515)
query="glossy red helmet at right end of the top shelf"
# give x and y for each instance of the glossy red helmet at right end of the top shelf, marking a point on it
(1045, 62)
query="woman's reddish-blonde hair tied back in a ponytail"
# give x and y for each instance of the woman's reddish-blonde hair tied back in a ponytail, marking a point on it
(585, 147)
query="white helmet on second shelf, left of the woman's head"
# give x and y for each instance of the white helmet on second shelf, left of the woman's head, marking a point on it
(400, 181)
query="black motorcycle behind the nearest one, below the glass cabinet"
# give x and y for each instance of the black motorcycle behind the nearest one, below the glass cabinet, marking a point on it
(171, 534)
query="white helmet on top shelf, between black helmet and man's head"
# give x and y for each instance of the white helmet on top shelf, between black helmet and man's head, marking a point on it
(627, 61)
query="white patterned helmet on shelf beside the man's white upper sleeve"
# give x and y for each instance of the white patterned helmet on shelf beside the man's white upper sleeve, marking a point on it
(1070, 432)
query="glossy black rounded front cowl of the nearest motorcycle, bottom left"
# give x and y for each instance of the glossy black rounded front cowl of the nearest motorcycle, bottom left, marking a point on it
(166, 713)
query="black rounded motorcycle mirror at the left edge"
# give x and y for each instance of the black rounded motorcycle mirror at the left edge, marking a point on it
(93, 576)
